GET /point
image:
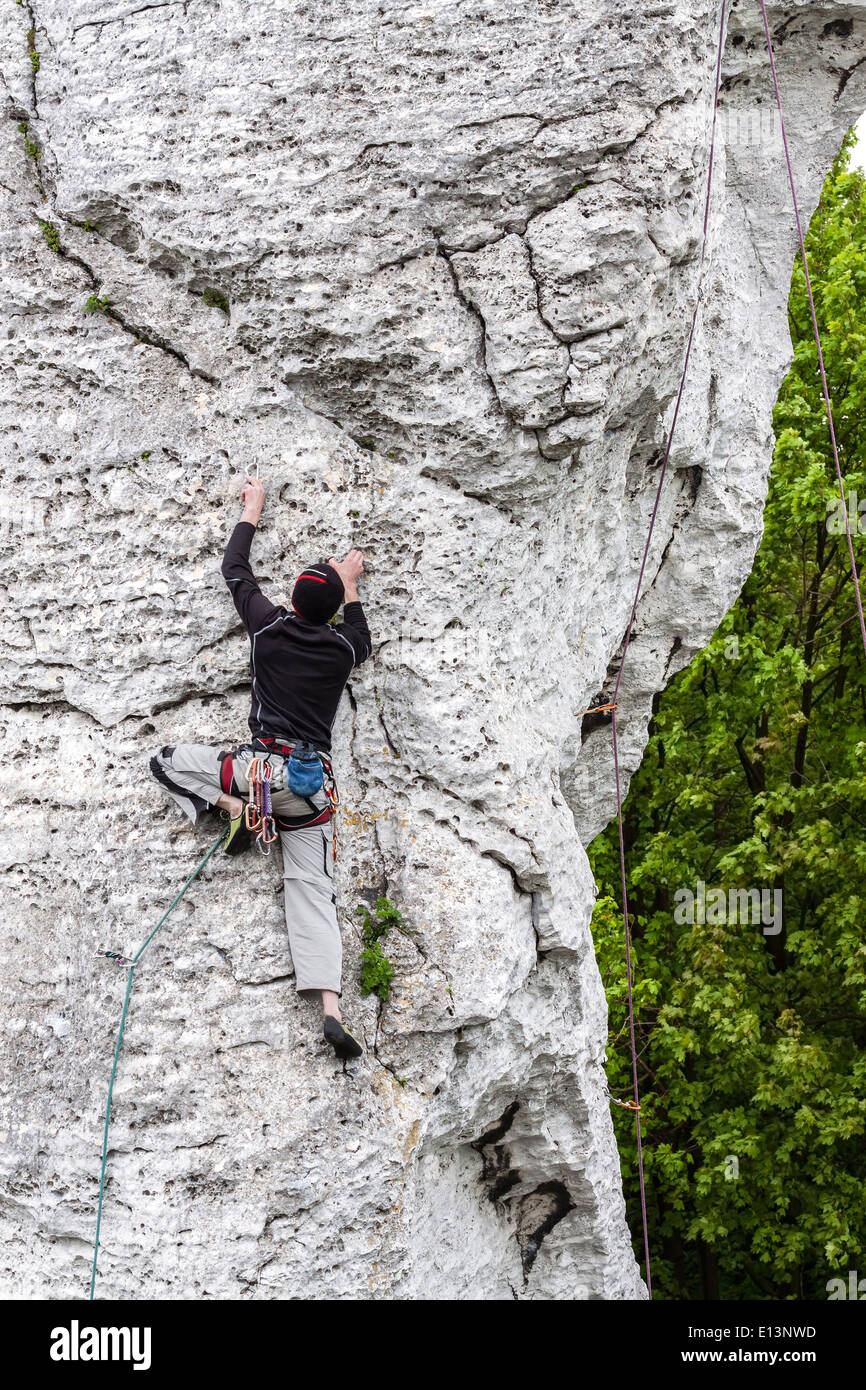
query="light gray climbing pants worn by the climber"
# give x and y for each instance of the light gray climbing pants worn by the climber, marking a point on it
(195, 776)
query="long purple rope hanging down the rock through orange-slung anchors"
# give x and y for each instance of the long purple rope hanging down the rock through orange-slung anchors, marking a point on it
(637, 596)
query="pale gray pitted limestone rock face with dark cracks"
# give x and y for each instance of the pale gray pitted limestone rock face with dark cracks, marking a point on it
(432, 269)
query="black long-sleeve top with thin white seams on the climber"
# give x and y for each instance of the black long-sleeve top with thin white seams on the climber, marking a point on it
(300, 669)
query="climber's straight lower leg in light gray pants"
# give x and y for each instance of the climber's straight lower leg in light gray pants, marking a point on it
(311, 908)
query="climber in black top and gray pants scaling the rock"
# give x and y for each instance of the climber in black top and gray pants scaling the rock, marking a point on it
(300, 668)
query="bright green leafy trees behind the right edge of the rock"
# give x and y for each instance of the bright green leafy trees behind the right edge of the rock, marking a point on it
(753, 1047)
